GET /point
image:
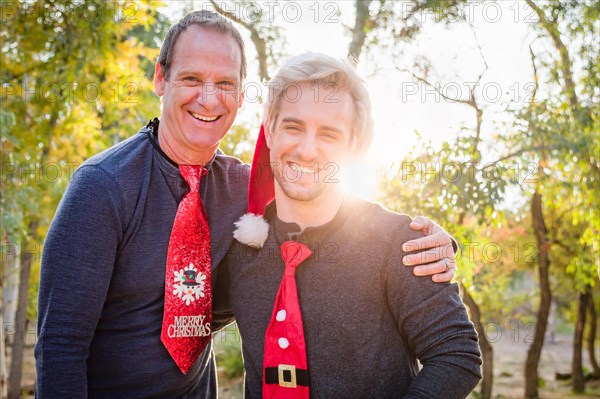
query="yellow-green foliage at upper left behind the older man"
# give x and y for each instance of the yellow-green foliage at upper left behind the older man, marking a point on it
(74, 79)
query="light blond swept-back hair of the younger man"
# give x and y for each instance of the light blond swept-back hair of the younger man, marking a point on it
(322, 69)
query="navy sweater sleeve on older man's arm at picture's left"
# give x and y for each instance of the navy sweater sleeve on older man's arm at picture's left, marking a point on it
(77, 264)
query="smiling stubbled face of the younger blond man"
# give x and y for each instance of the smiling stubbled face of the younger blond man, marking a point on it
(310, 141)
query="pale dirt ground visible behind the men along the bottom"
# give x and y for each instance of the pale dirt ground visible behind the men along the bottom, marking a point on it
(510, 351)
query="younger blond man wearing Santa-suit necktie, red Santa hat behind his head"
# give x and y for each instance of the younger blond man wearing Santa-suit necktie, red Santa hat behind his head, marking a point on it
(323, 308)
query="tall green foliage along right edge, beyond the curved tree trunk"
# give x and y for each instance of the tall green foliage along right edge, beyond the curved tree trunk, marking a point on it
(563, 124)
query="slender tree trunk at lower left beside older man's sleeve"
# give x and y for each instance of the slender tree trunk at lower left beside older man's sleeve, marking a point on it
(16, 363)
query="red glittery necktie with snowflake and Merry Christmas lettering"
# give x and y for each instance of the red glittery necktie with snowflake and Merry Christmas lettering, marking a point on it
(188, 296)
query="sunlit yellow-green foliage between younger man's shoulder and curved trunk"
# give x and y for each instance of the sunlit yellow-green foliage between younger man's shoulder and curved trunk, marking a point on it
(445, 184)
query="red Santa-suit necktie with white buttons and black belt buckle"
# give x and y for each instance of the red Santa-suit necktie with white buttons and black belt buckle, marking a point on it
(285, 364)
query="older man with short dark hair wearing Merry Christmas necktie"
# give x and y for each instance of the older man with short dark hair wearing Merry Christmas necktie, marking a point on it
(125, 290)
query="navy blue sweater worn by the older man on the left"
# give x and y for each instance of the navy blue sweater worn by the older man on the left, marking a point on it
(103, 273)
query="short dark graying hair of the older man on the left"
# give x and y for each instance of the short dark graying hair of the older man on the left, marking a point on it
(204, 19)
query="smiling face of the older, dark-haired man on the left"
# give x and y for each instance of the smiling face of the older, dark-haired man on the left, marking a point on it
(202, 93)
